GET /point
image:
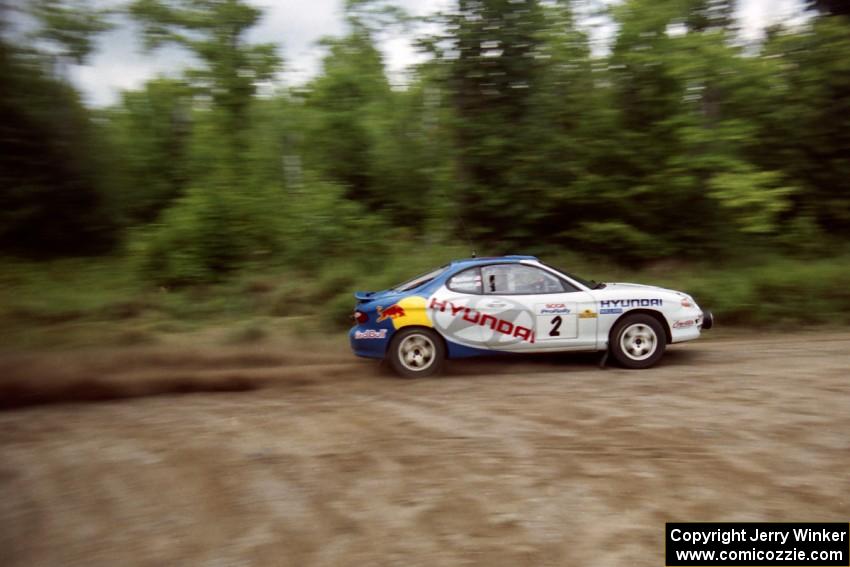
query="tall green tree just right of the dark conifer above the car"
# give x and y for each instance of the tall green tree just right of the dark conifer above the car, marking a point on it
(565, 143)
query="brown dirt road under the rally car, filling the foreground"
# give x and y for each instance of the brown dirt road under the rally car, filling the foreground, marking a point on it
(267, 456)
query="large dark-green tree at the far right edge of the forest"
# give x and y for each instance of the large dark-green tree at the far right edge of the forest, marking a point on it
(806, 133)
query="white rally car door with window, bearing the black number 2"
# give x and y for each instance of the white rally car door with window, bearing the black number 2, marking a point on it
(527, 308)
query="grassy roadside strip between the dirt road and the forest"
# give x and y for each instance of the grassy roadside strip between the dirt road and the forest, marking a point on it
(79, 302)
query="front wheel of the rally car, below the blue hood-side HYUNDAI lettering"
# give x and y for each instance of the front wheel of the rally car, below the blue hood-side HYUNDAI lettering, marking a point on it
(637, 341)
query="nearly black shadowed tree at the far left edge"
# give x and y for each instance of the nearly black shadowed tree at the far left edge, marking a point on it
(51, 190)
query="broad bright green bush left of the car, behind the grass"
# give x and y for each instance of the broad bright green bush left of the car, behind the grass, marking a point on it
(212, 232)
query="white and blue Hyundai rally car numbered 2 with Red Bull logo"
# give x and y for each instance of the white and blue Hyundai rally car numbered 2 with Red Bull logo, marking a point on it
(518, 304)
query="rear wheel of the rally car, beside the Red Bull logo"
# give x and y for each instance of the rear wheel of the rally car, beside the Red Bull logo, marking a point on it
(417, 352)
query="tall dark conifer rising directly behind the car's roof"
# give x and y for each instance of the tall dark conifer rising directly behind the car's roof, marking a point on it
(491, 74)
